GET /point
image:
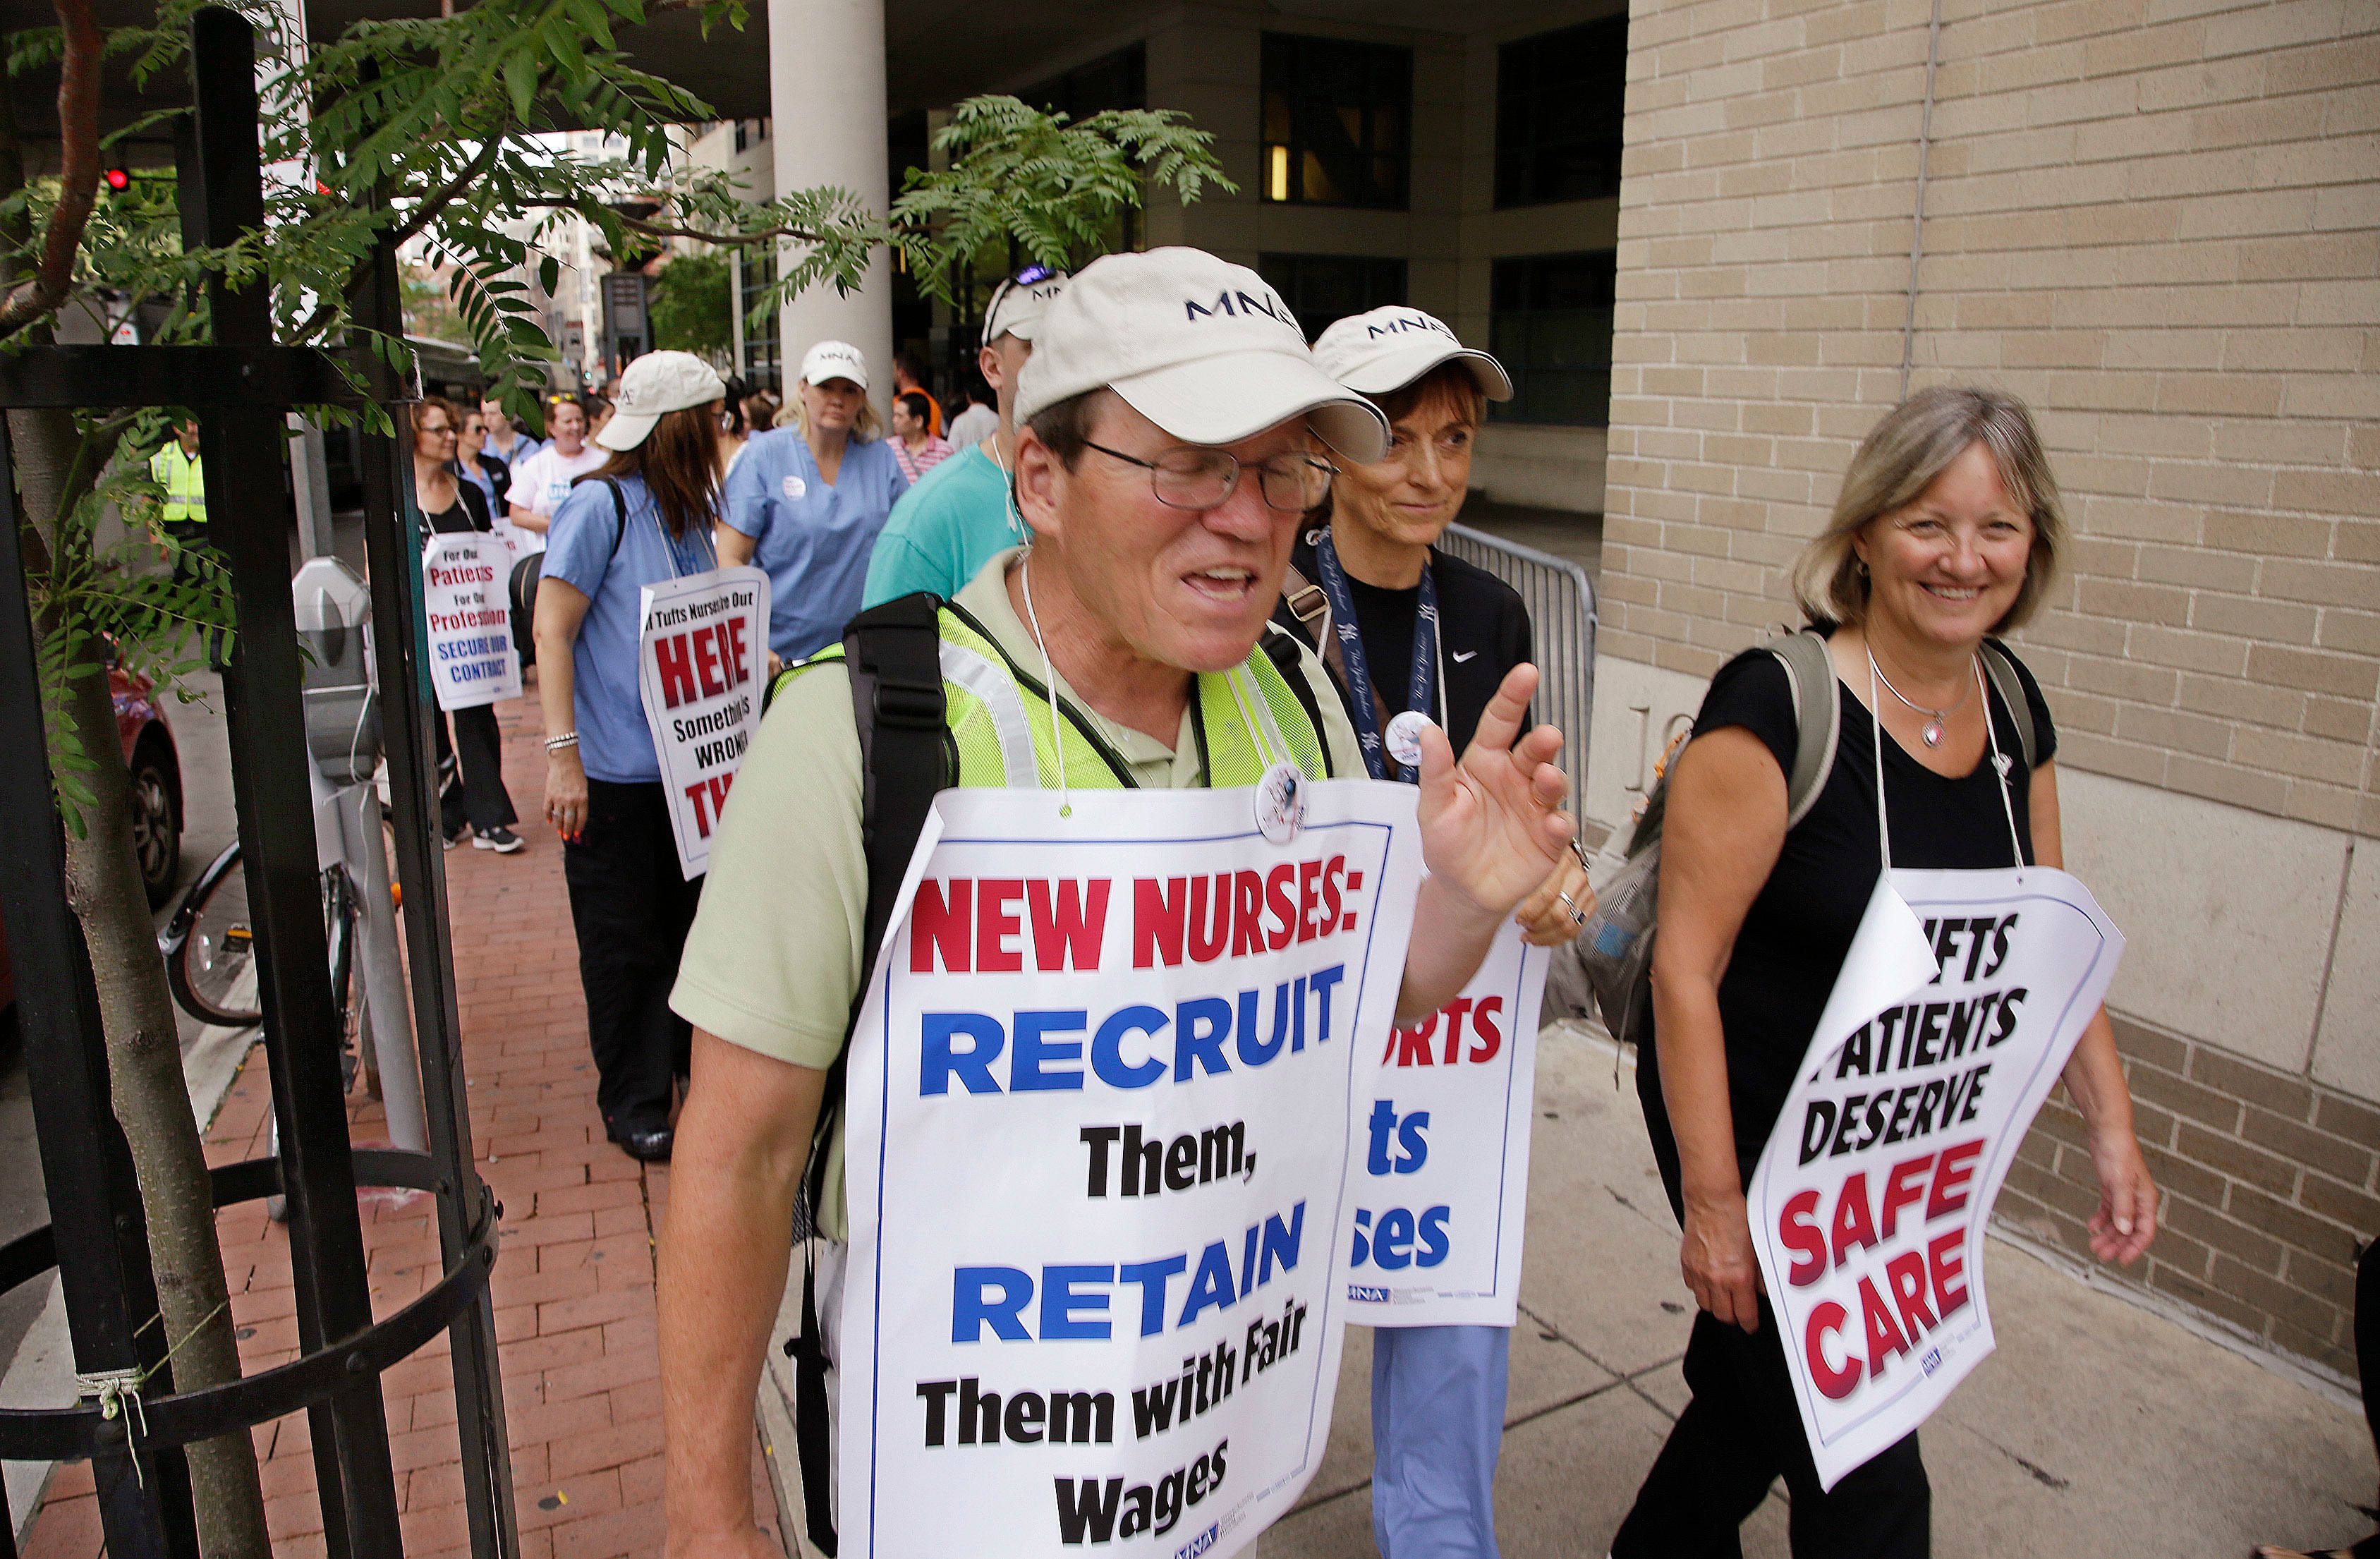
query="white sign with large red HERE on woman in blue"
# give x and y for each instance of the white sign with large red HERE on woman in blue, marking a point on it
(701, 660)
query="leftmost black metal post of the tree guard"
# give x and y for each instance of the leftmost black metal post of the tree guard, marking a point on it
(94, 1198)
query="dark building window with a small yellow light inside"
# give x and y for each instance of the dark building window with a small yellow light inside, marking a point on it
(1336, 123)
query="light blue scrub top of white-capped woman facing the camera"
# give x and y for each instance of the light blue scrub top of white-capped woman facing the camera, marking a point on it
(813, 539)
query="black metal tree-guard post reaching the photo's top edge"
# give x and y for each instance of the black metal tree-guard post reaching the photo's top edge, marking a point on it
(251, 522)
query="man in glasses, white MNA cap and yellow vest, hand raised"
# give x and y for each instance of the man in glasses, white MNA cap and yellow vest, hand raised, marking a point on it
(1172, 437)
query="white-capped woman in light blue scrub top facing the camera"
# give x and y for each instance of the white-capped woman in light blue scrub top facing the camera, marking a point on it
(806, 503)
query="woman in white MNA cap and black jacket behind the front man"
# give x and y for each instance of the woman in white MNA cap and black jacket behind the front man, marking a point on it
(1434, 637)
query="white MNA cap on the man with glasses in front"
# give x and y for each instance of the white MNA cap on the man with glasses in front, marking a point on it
(1198, 346)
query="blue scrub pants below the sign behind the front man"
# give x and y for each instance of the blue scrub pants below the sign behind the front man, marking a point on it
(1436, 1429)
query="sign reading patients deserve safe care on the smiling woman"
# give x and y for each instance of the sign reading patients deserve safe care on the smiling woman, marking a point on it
(1955, 1013)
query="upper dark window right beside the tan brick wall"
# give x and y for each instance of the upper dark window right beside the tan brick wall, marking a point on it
(1558, 115)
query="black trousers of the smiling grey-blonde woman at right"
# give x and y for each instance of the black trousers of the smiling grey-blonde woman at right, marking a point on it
(1743, 1432)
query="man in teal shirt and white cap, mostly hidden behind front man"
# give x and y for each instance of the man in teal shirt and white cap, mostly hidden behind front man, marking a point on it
(960, 513)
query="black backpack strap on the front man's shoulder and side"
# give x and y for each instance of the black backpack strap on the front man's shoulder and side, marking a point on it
(906, 758)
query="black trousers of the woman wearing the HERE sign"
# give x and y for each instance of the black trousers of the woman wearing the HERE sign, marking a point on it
(632, 913)
